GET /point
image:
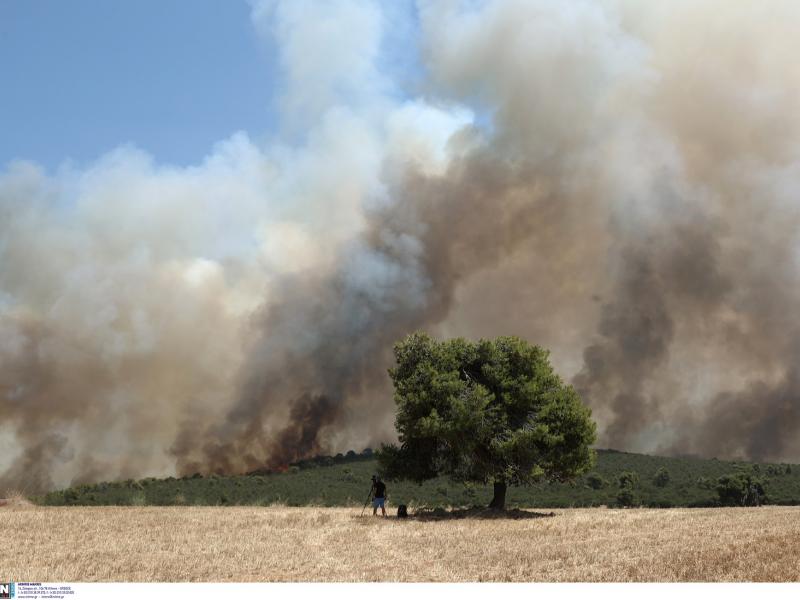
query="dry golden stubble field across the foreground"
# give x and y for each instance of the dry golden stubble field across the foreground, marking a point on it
(324, 544)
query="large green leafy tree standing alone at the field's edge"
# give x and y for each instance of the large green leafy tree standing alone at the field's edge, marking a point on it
(491, 412)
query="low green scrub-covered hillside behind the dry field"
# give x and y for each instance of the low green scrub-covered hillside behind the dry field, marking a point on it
(618, 479)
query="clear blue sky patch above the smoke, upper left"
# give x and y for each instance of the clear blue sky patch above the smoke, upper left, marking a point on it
(80, 78)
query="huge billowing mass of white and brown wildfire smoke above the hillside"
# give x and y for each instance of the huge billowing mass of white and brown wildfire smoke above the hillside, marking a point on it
(615, 181)
